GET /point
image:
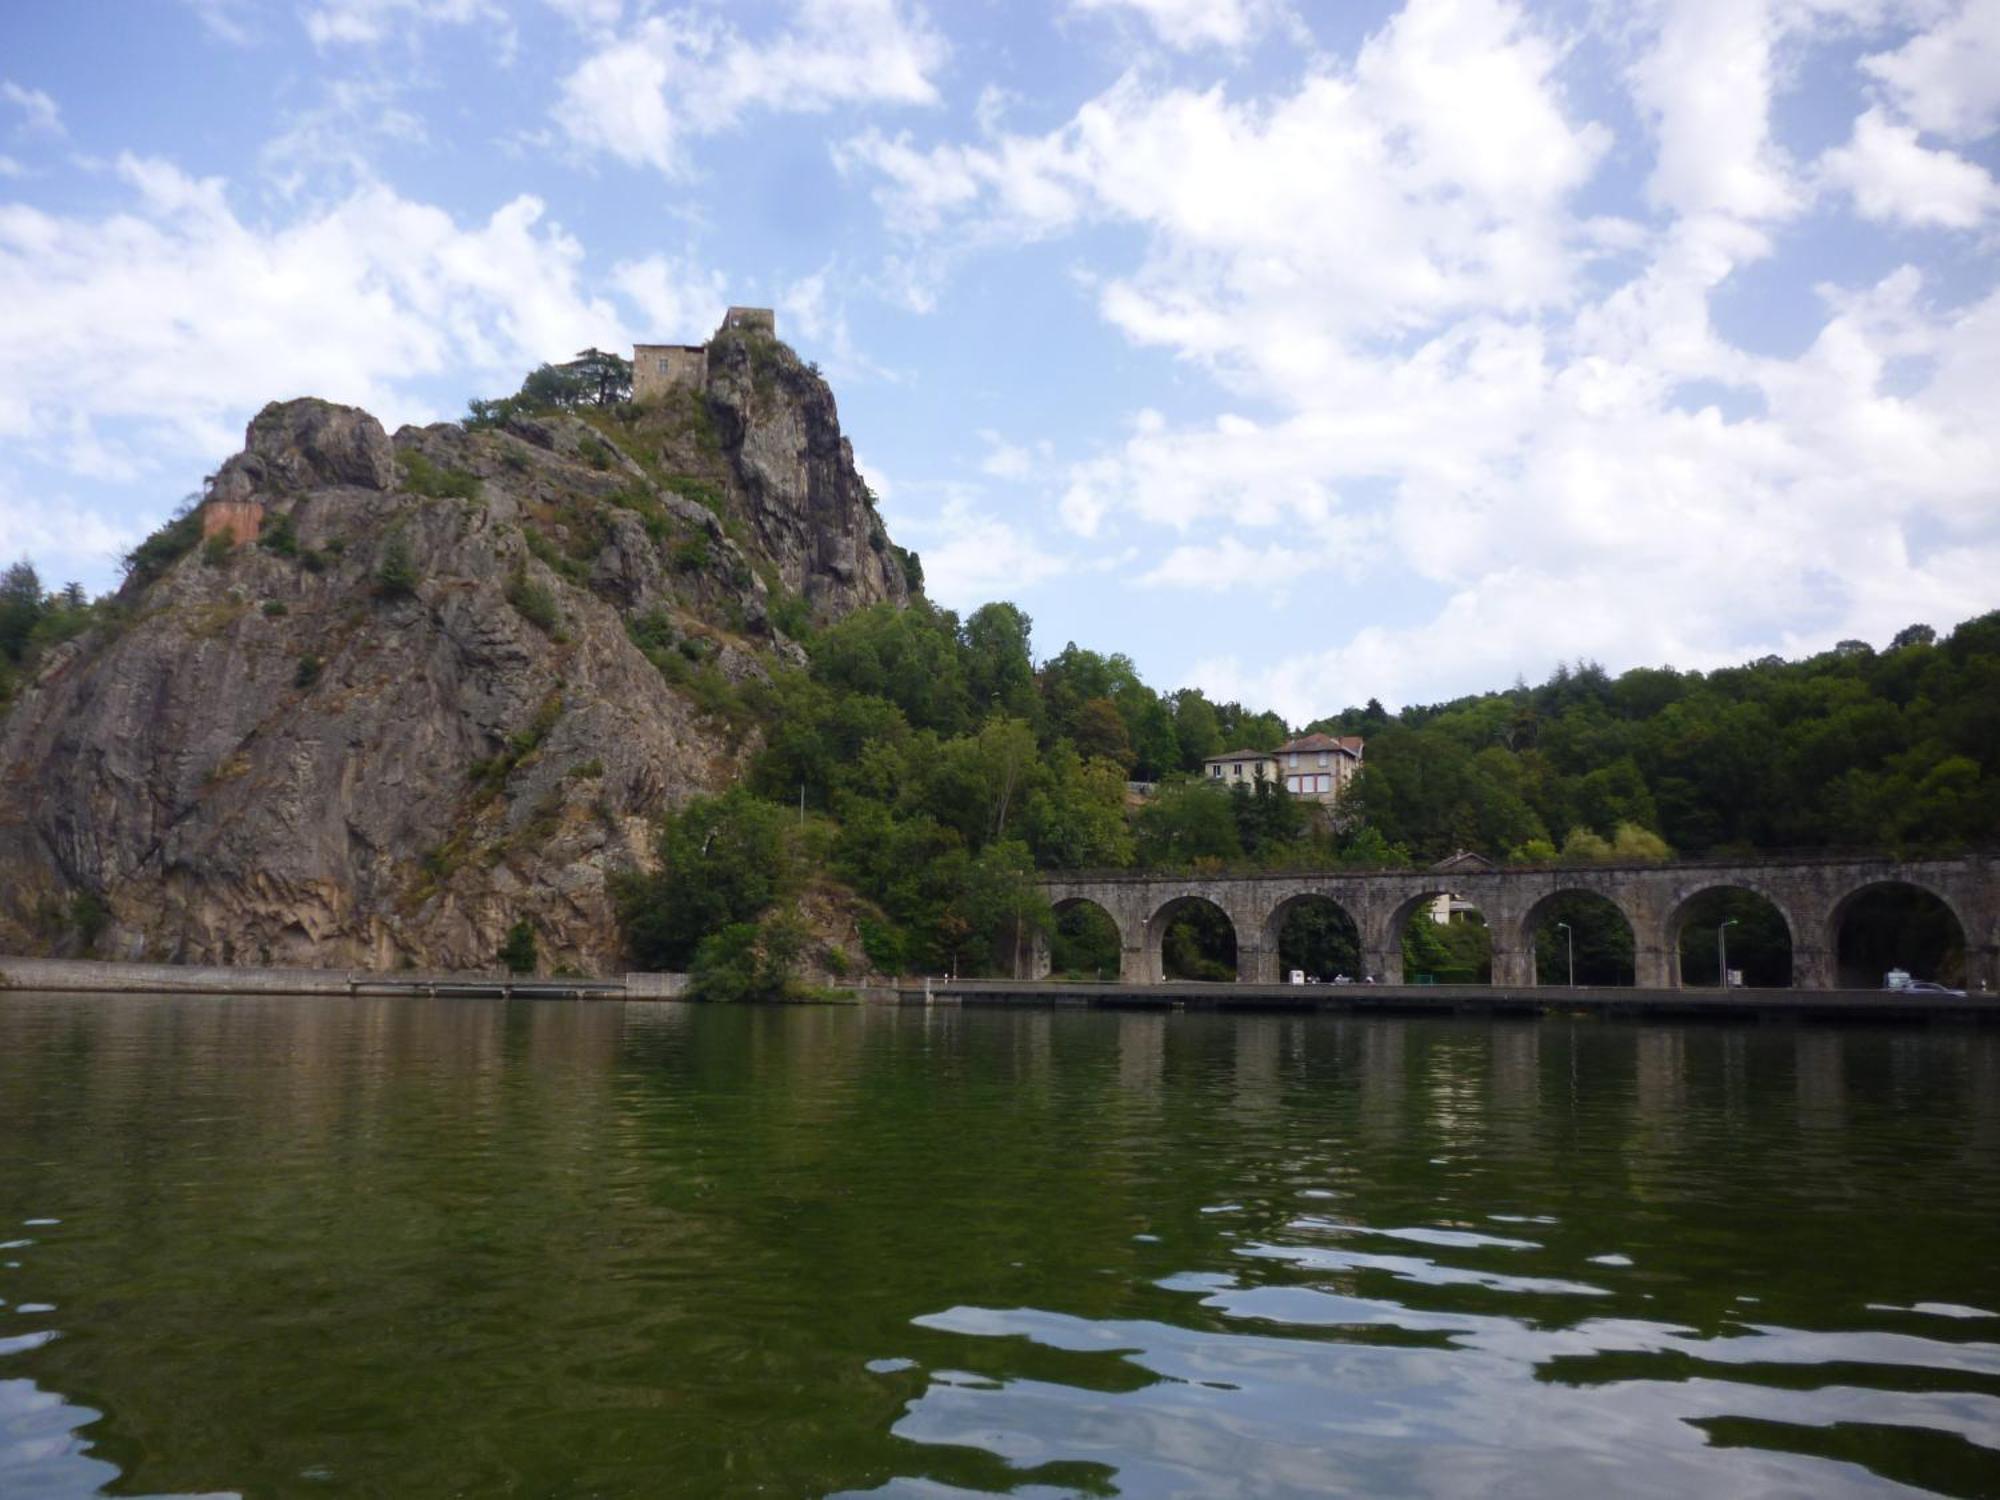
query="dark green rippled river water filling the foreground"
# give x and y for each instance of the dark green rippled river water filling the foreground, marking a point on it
(465, 1249)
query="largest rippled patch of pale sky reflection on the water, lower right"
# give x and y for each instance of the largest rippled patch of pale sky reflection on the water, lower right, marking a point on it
(1297, 1407)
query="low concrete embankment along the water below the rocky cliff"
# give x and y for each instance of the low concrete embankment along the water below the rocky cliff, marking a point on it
(85, 975)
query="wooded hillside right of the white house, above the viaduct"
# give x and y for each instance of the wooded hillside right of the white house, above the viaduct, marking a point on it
(1851, 749)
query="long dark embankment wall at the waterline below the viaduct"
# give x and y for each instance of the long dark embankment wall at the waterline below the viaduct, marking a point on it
(1467, 1001)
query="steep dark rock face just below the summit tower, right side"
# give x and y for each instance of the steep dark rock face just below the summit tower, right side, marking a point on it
(809, 505)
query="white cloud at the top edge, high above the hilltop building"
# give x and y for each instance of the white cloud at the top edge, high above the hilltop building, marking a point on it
(643, 95)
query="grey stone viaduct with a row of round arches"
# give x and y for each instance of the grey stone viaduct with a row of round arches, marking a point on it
(1813, 897)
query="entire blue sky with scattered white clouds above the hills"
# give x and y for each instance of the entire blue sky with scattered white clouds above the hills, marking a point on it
(1305, 353)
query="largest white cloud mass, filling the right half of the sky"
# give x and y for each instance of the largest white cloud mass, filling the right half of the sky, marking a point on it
(1443, 371)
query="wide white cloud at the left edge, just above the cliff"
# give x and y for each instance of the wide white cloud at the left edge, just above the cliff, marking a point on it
(181, 319)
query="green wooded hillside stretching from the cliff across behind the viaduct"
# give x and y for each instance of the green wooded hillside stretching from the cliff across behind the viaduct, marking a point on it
(929, 767)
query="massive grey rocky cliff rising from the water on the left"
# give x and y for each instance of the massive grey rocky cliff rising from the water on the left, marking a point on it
(449, 685)
